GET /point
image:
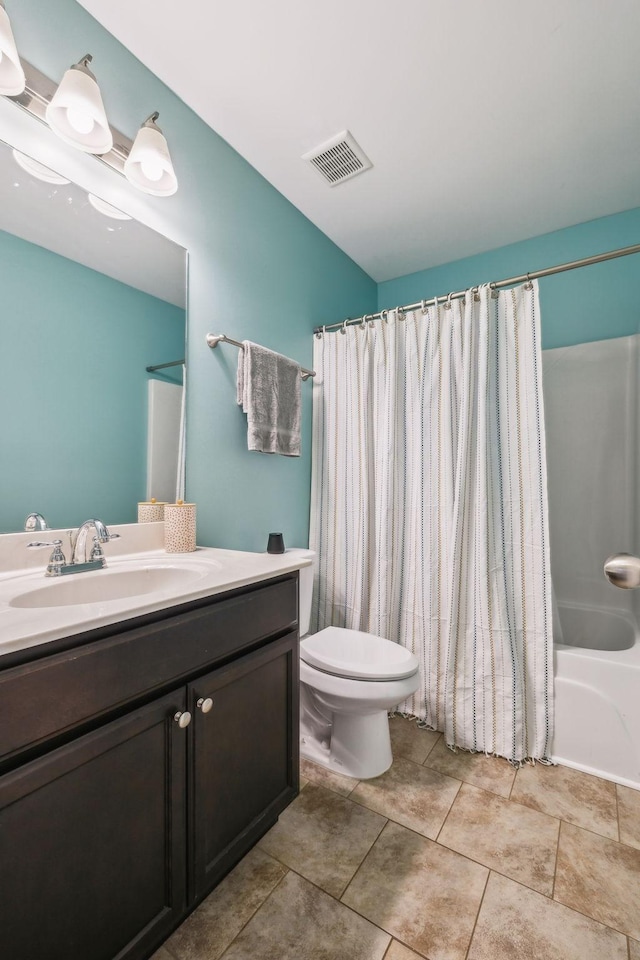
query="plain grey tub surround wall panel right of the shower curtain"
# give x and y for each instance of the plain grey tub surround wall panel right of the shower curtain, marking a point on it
(592, 411)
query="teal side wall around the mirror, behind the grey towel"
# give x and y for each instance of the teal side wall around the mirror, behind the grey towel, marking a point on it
(258, 270)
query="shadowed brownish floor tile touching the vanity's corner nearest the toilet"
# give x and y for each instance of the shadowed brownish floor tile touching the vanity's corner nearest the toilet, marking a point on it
(324, 837)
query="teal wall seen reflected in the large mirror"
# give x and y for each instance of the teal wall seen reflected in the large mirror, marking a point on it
(74, 345)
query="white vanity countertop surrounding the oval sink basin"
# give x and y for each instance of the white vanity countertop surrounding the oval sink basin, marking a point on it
(208, 571)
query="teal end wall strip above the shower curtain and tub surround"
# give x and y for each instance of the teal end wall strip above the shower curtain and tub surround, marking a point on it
(594, 303)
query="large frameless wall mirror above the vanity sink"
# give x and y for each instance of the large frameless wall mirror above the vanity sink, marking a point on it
(90, 299)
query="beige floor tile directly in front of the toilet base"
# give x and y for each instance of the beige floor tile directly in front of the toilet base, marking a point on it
(415, 796)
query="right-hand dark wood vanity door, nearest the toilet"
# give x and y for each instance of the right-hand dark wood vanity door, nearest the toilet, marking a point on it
(245, 756)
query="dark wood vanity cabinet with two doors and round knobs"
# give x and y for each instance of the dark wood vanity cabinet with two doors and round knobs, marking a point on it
(114, 828)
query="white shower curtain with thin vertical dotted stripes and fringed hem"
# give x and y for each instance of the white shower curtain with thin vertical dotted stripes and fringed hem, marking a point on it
(429, 509)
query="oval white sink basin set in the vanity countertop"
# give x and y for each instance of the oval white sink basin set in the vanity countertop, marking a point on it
(109, 584)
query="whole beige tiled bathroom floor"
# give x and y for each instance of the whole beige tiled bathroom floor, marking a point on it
(445, 857)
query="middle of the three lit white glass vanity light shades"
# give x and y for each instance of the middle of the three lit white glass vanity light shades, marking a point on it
(76, 112)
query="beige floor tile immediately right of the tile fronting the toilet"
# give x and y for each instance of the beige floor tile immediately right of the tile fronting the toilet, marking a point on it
(511, 839)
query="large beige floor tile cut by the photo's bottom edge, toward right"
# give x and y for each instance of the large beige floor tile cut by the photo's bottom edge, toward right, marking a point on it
(515, 922)
